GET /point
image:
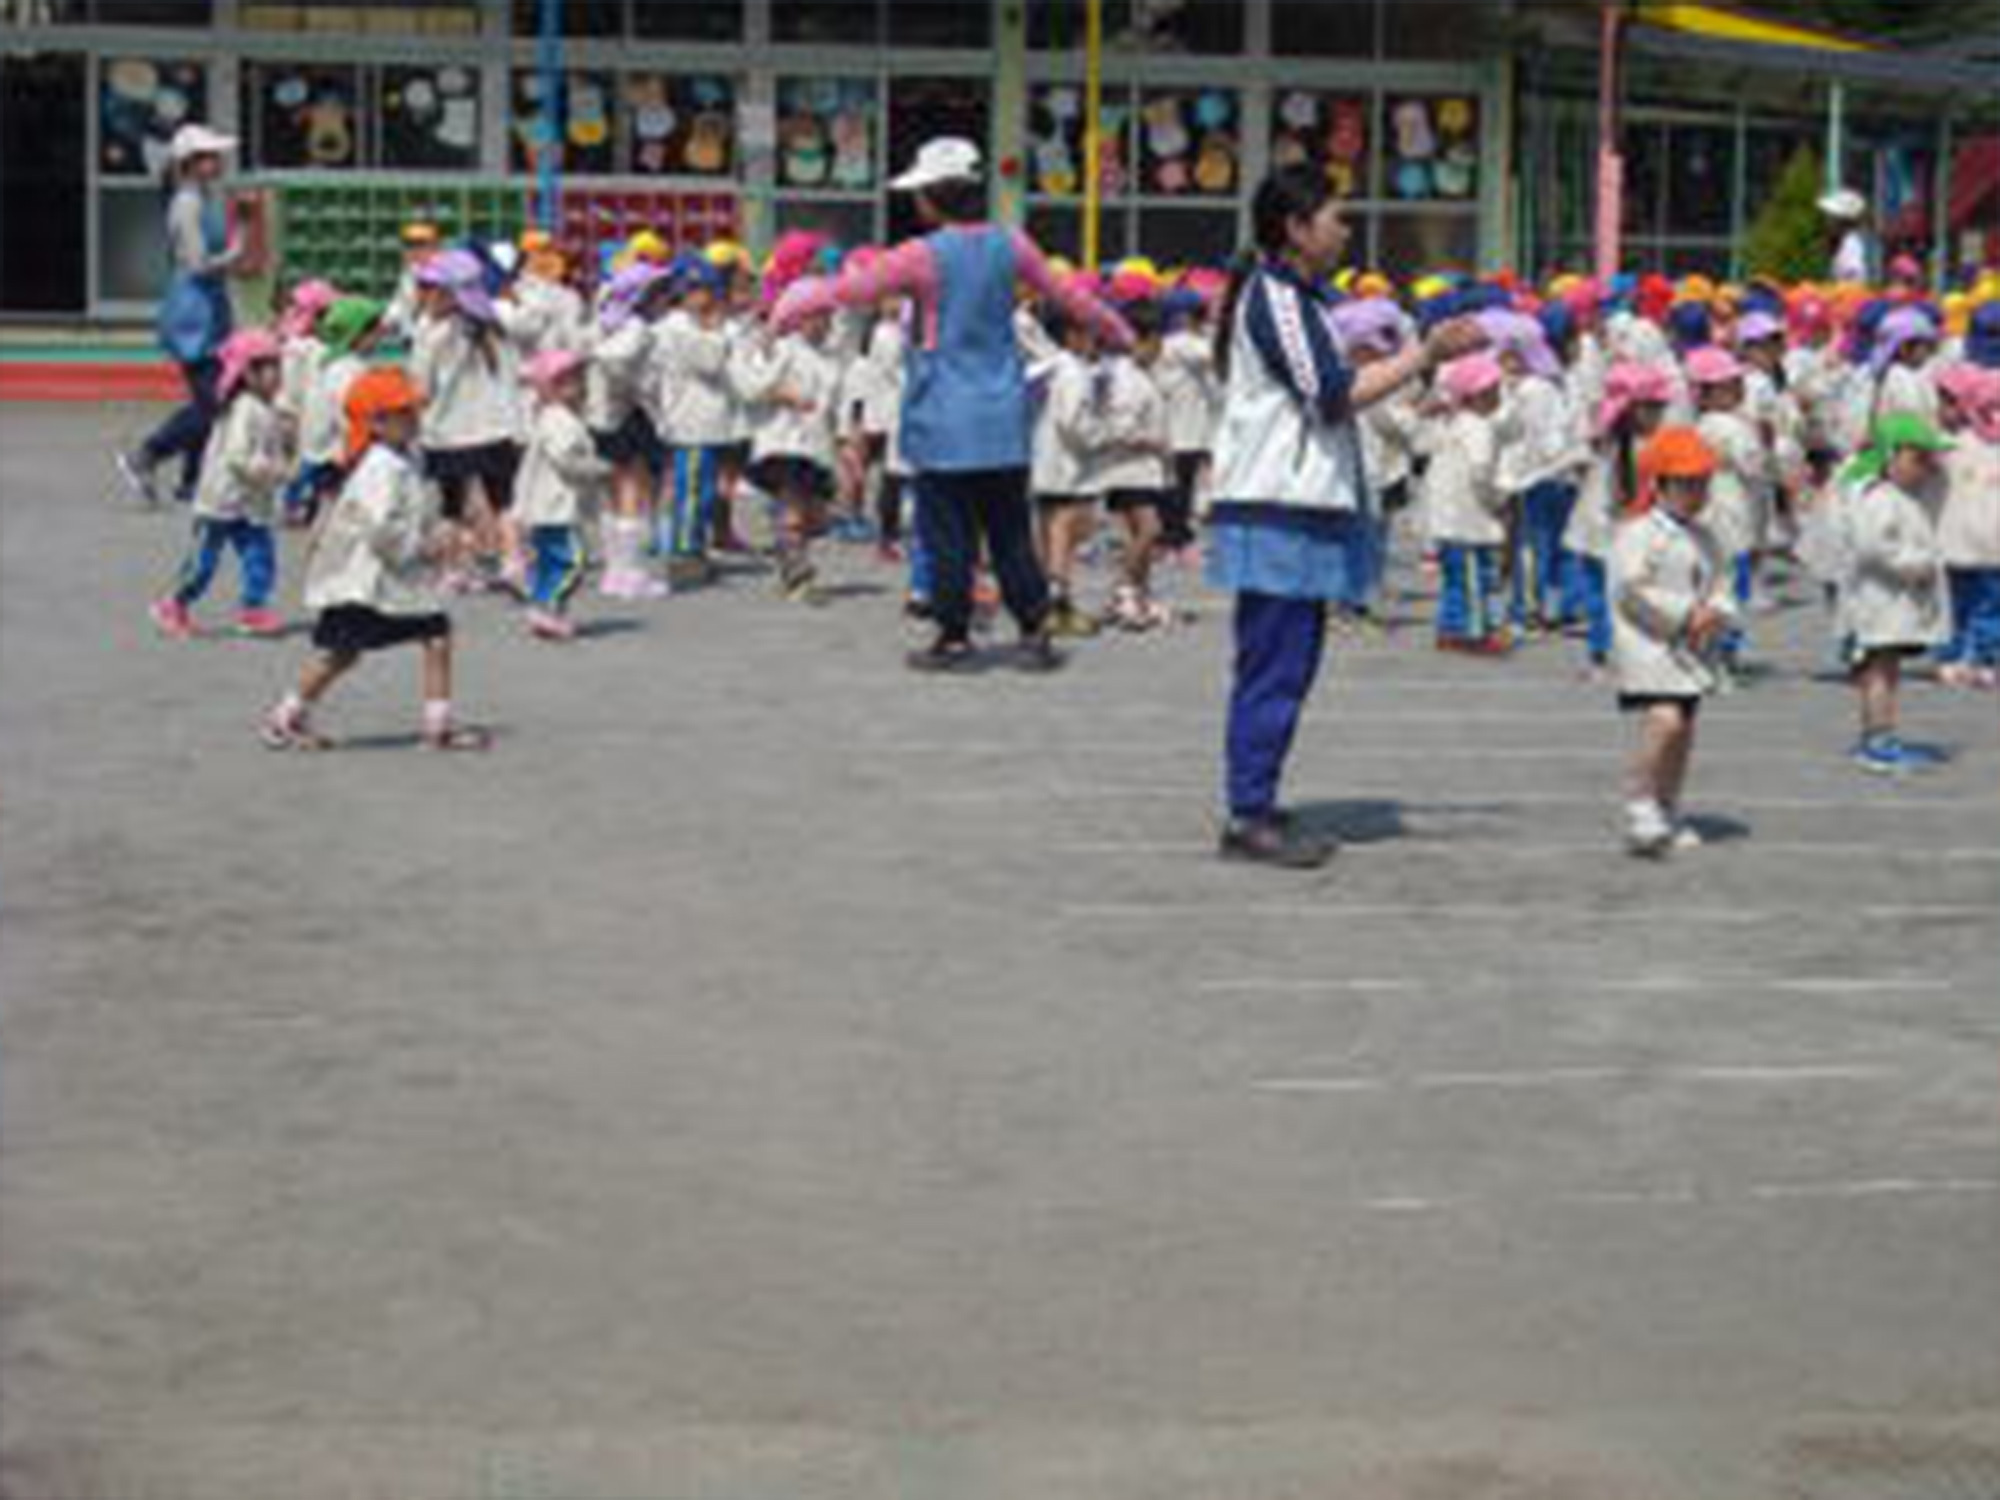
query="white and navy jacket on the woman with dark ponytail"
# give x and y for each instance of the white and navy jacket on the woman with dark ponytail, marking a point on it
(1287, 433)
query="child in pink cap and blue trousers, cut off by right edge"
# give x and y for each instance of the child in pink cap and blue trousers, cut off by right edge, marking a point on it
(1969, 529)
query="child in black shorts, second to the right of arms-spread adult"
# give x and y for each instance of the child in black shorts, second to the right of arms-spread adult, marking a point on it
(1133, 463)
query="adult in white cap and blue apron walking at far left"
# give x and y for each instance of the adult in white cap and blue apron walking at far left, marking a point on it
(195, 315)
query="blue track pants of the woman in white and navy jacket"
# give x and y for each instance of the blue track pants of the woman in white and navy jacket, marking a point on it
(1279, 651)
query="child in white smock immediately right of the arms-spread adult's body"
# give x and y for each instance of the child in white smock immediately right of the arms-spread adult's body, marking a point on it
(1065, 471)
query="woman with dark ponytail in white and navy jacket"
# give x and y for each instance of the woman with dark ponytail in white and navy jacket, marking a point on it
(1291, 527)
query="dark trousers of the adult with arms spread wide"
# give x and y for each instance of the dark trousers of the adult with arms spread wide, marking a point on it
(953, 515)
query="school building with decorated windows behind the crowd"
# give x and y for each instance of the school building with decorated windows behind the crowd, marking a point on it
(1461, 131)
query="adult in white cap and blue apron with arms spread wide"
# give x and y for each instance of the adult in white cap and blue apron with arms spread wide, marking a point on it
(965, 405)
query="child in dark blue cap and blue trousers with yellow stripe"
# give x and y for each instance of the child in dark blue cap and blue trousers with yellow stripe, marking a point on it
(697, 413)
